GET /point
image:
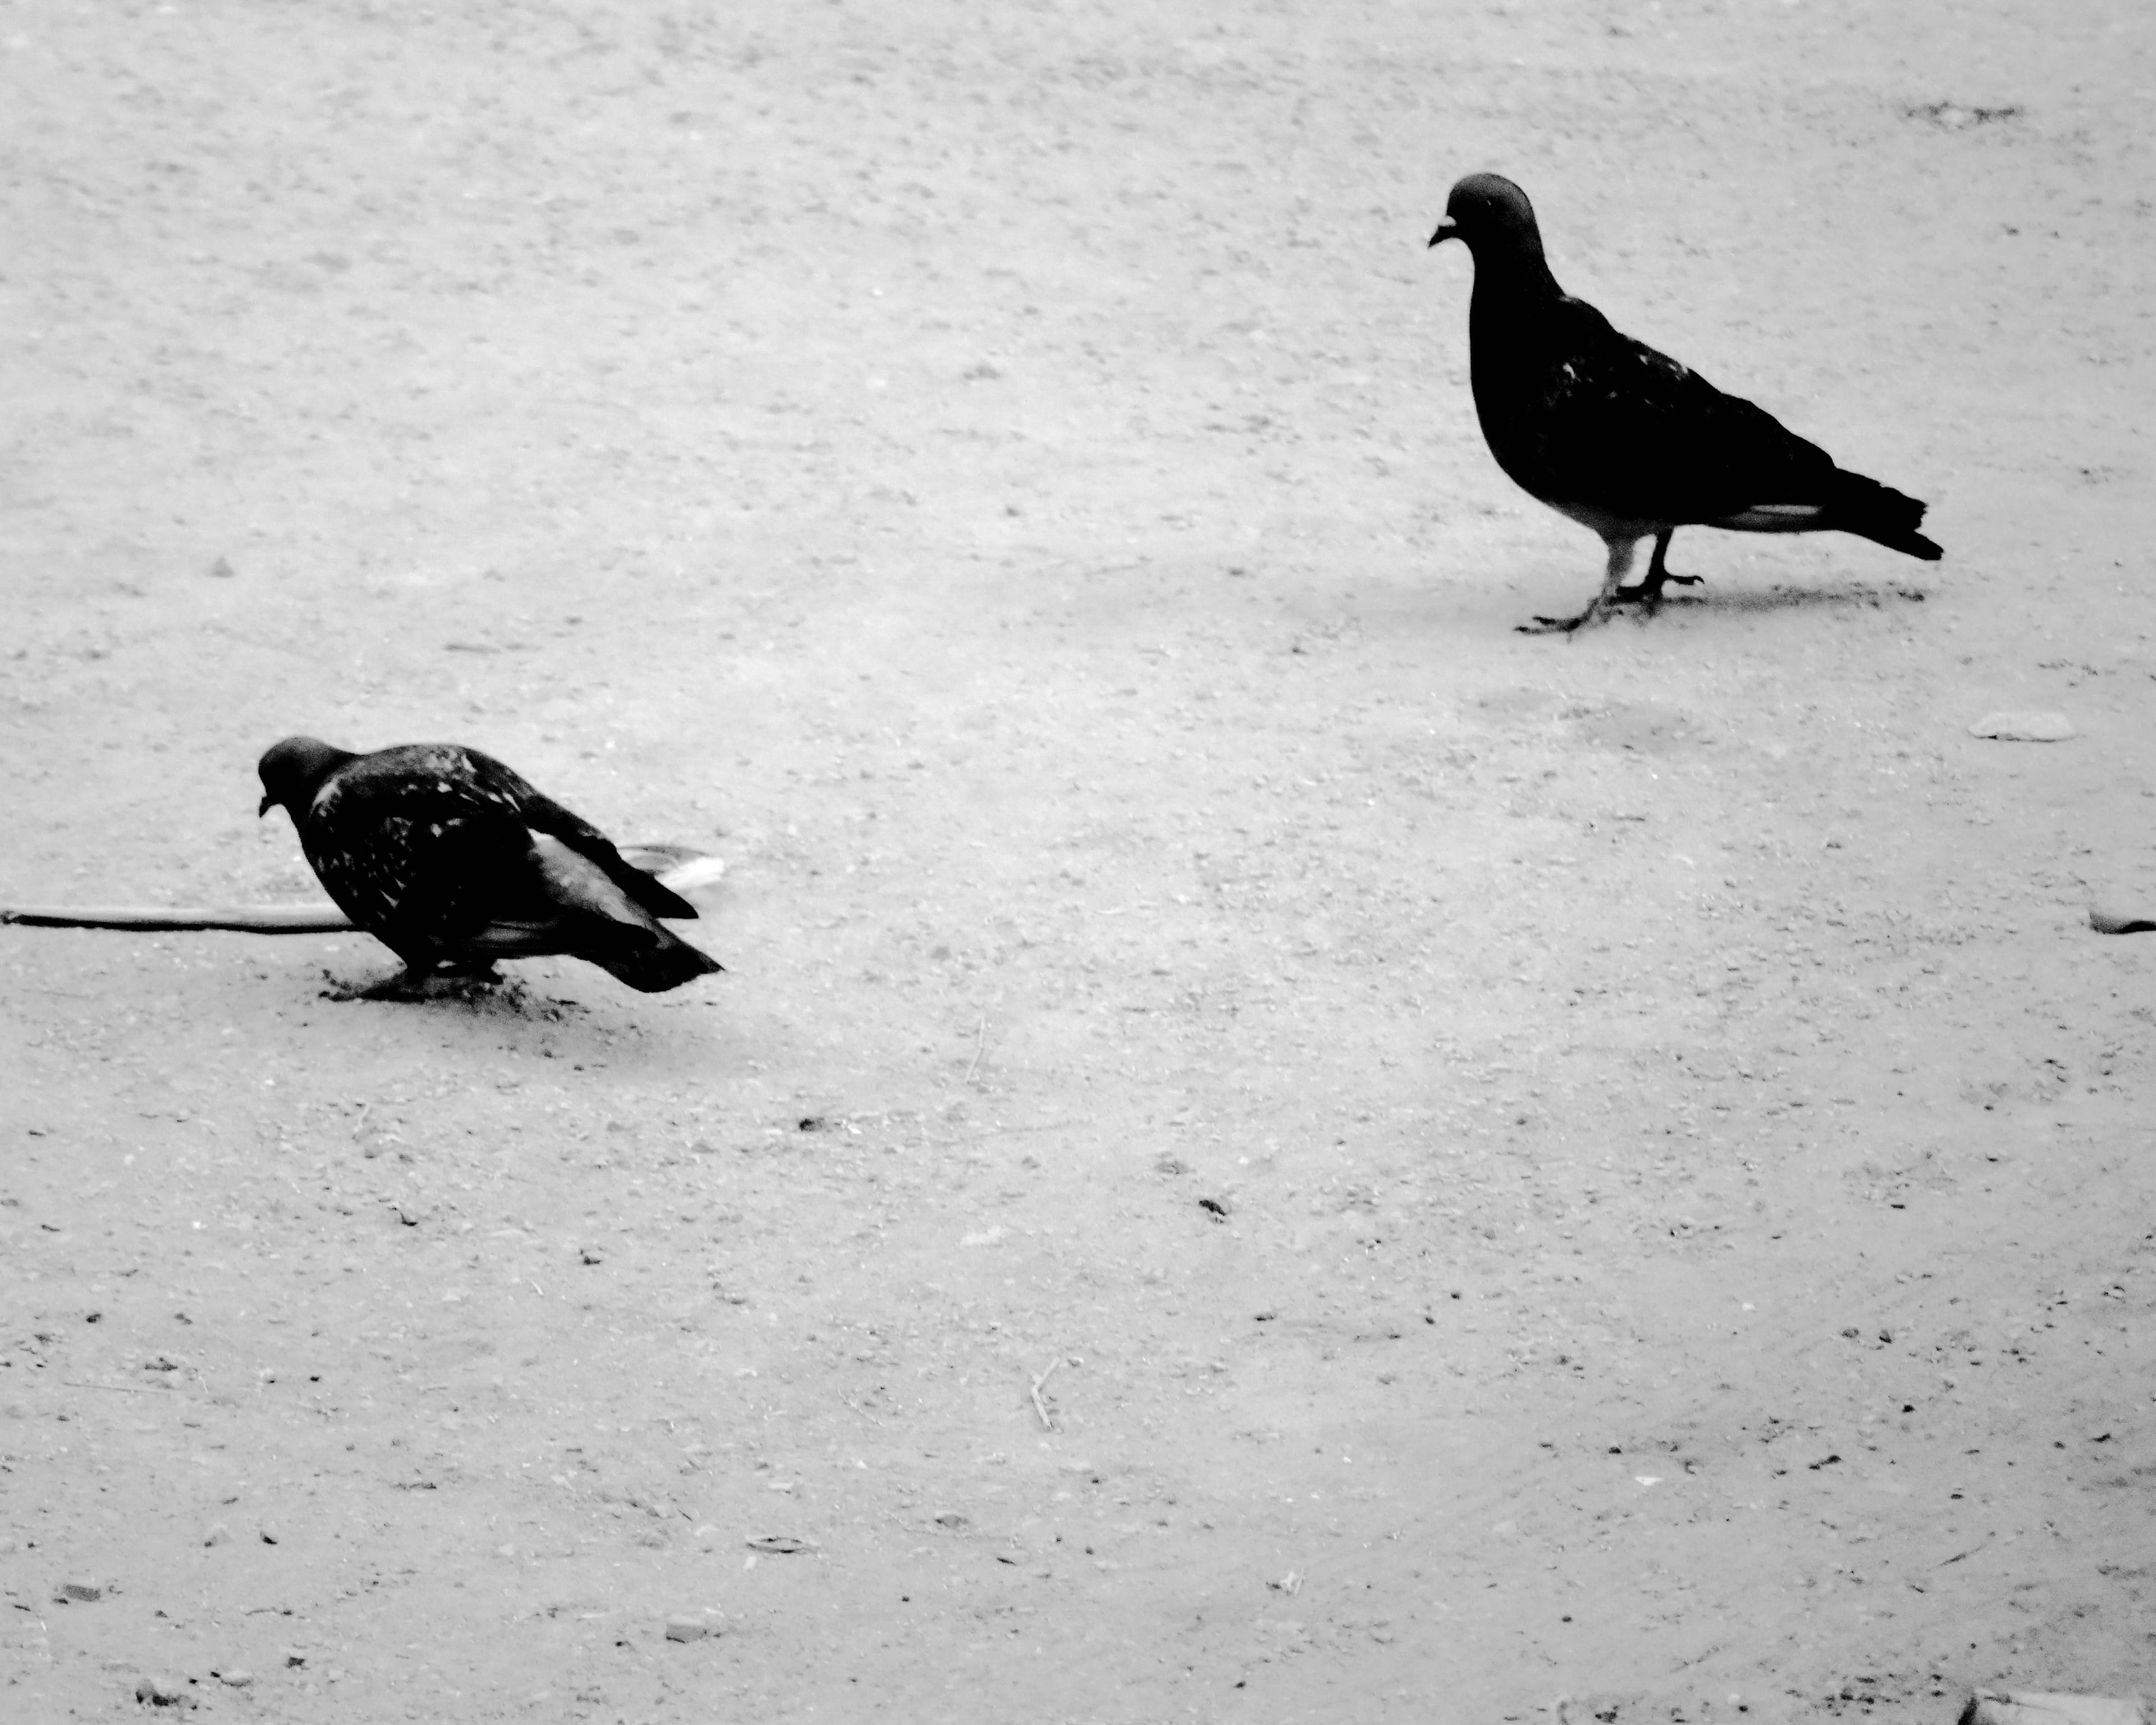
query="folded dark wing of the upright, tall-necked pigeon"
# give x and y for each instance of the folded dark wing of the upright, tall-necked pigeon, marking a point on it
(1637, 434)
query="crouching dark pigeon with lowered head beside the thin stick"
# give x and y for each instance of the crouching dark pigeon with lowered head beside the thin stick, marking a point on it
(454, 861)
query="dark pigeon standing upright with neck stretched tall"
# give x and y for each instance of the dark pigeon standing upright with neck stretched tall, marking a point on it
(1622, 439)
